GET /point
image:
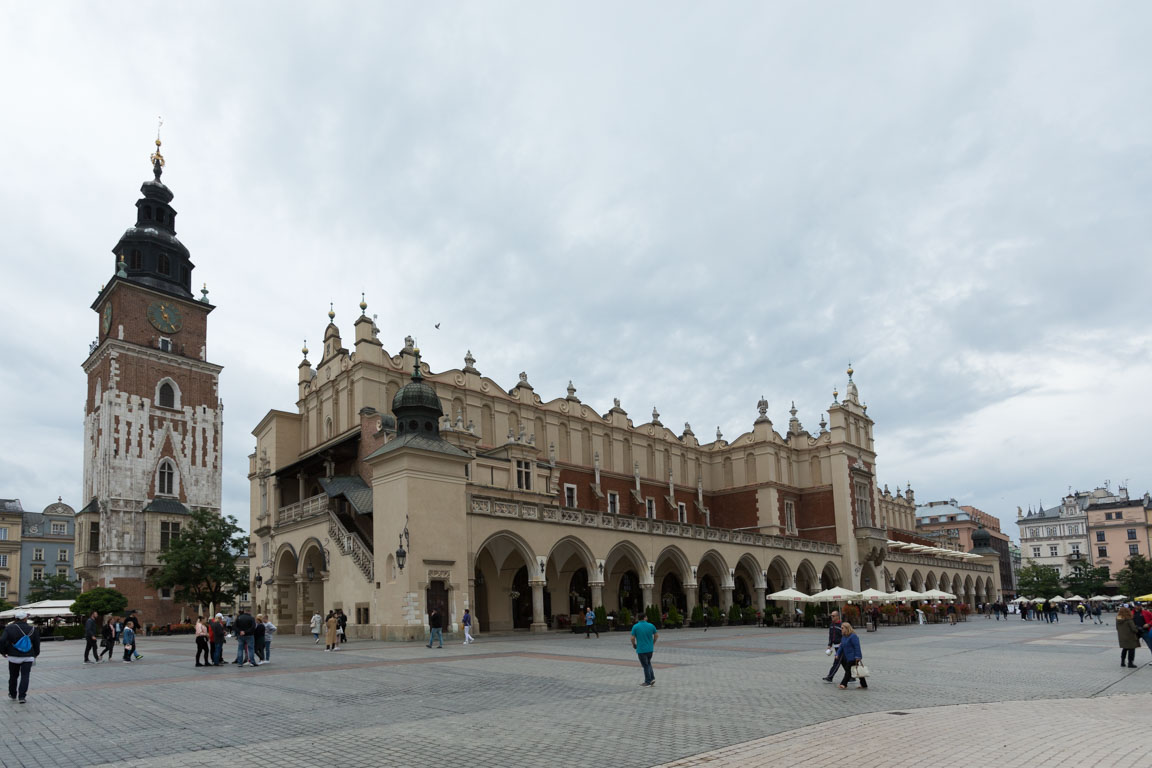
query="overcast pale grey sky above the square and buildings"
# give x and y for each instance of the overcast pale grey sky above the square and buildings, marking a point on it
(683, 206)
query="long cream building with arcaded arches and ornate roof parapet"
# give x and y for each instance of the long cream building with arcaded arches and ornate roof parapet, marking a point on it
(392, 490)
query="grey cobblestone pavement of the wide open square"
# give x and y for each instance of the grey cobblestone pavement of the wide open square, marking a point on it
(525, 699)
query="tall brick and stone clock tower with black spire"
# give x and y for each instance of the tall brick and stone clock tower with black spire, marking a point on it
(153, 416)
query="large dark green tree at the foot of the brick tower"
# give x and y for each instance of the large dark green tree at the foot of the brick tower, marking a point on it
(200, 565)
